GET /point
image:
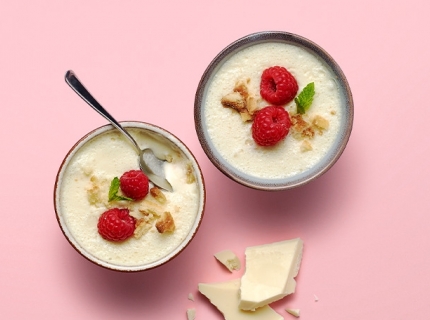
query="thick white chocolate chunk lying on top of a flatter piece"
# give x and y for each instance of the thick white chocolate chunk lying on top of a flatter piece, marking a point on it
(270, 272)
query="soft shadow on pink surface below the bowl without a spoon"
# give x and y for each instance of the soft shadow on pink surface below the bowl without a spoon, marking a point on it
(305, 207)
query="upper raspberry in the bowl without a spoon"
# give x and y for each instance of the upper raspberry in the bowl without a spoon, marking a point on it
(278, 86)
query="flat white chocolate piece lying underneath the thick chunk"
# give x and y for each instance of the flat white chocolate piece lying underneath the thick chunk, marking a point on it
(225, 297)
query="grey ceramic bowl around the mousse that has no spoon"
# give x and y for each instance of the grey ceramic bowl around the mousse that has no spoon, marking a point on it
(240, 175)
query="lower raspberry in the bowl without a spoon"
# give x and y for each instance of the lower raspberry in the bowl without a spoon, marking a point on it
(271, 125)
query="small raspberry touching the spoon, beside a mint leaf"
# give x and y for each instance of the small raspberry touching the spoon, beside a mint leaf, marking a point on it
(134, 184)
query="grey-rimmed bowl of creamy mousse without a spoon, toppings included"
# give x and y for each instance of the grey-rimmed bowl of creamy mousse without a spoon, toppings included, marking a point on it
(253, 79)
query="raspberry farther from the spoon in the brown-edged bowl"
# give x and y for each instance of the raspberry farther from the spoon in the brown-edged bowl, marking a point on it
(116, 224)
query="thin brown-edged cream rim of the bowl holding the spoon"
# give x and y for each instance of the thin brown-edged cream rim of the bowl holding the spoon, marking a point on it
(182, 245)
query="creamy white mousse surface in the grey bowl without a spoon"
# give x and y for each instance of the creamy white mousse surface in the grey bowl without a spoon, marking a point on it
(232, 138)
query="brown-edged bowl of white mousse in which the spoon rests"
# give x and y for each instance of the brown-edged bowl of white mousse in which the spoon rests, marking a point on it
(88, 186)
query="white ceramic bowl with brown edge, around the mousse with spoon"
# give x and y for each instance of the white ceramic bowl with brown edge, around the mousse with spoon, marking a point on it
(164, 137)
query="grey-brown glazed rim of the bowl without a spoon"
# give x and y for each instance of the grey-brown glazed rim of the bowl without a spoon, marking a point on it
(242, 43)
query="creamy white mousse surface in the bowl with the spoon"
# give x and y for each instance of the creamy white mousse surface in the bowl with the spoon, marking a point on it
(83, 197)
